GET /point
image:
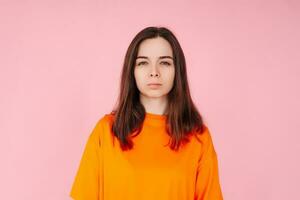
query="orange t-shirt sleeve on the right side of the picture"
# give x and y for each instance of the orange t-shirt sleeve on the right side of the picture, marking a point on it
(207, 178)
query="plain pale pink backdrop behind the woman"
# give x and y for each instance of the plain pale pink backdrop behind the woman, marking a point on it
(60, 64)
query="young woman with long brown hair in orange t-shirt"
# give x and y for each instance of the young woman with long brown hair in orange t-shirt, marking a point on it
(154, 144)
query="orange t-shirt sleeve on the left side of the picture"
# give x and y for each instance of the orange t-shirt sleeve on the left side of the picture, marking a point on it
(86, 183)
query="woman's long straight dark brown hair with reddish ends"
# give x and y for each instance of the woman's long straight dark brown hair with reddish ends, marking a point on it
(183, 118)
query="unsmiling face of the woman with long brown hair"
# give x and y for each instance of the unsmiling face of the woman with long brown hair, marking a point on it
(154, 64)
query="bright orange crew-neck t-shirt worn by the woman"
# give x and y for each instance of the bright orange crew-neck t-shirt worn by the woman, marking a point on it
(149, 171)
